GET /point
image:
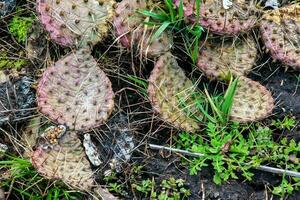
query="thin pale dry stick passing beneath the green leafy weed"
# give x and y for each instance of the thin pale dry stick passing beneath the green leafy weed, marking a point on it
(260, 167)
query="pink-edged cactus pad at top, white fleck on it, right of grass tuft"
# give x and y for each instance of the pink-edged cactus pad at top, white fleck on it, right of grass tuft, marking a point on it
(218, 18)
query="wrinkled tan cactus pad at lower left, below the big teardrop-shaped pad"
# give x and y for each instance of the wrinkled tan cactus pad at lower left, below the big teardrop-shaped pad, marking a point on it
(64, 161)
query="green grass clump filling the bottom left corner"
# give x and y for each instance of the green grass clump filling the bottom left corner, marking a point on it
(24, 182)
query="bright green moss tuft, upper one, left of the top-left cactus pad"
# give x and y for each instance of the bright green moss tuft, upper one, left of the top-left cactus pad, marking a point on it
(19, 27)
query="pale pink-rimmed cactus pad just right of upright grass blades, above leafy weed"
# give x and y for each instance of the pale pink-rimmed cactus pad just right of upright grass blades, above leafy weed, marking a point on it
(251, 102)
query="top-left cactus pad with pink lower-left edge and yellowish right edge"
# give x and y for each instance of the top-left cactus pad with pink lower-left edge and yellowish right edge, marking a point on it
(76, 22)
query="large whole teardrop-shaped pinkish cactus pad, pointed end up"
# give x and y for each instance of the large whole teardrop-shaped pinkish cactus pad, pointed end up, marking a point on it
(76, 92)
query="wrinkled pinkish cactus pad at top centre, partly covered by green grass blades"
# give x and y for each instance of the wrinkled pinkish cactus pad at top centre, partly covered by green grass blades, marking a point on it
(132, 33)
